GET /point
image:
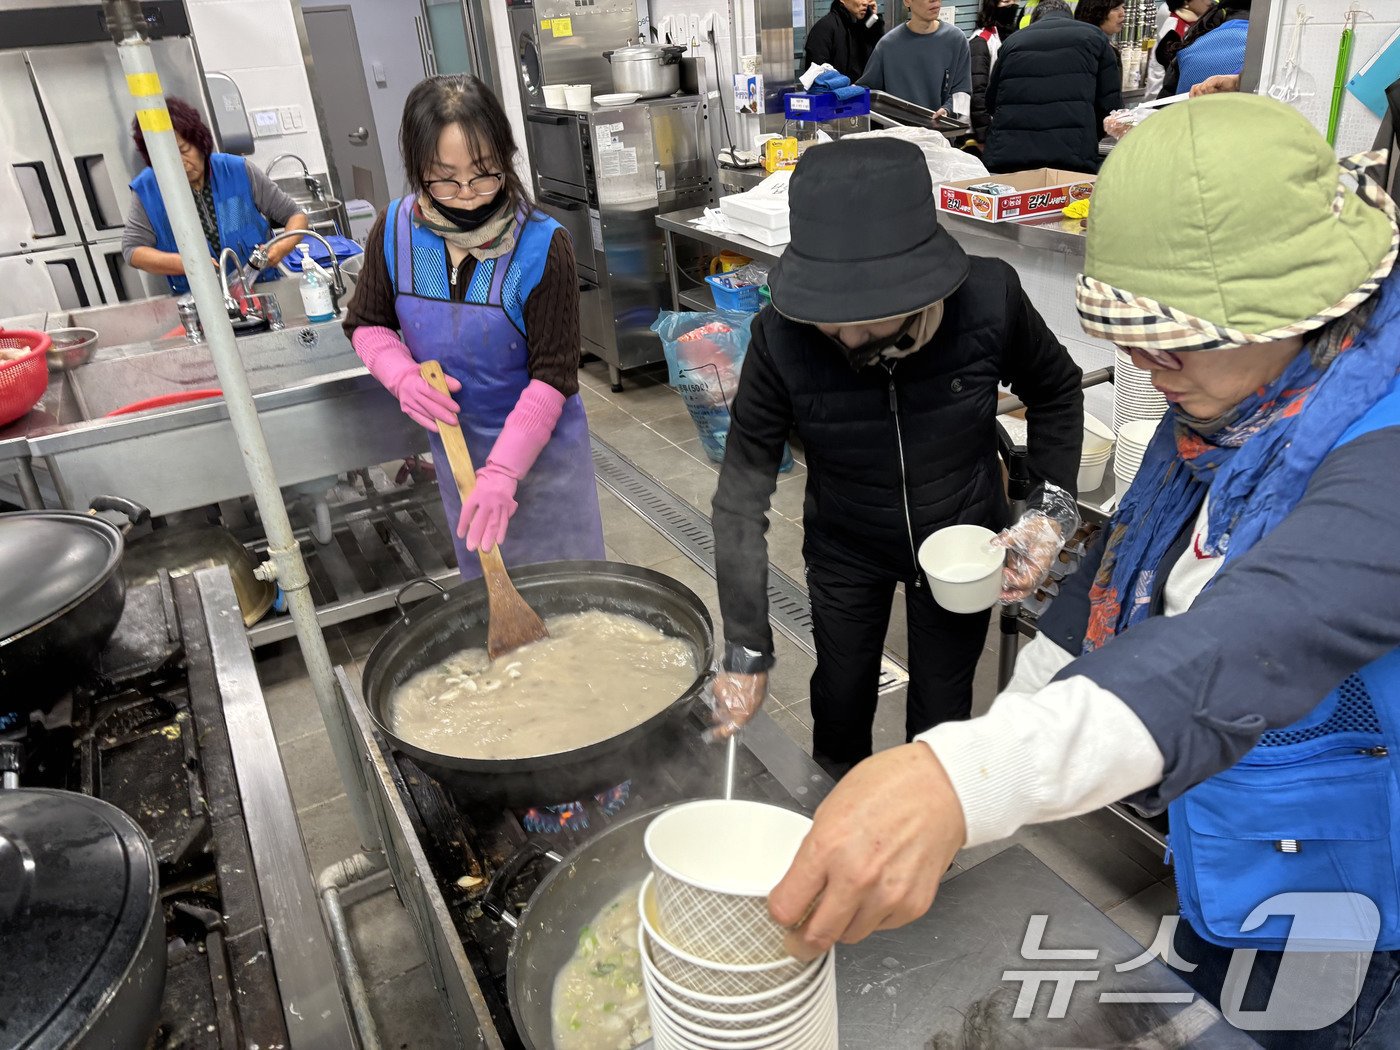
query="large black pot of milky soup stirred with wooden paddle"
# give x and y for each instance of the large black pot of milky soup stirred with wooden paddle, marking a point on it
(457, 621)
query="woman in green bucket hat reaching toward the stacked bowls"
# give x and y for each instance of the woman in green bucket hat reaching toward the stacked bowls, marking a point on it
(1230, 649)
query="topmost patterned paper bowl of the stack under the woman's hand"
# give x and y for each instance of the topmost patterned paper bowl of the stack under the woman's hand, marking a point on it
(715, 864)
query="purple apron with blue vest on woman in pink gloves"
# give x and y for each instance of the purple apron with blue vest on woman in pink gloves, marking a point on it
(485, 348)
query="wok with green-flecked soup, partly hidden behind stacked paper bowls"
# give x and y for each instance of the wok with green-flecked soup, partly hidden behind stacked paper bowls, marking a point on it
(570, 897)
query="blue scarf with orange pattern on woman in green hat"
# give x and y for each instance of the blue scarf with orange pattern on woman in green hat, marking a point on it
(1255, 463)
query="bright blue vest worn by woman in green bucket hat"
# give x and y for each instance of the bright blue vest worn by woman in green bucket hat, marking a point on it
(1314, 807)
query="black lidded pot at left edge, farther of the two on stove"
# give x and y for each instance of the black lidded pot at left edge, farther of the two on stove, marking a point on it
(61, 600)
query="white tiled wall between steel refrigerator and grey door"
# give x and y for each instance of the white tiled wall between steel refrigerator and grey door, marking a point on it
(255, 43)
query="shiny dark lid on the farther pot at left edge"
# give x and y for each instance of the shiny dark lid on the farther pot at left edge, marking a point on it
(48, 562)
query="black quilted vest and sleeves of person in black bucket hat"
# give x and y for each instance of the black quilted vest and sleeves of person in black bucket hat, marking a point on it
(894, 451)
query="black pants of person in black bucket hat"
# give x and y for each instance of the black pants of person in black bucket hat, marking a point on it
(850, 618)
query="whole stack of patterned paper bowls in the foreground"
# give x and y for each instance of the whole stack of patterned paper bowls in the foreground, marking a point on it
(715, 968)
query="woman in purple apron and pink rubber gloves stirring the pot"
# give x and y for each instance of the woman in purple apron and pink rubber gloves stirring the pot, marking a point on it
(474, 276)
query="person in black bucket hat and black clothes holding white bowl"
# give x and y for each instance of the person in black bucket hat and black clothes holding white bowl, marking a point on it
(884, 349)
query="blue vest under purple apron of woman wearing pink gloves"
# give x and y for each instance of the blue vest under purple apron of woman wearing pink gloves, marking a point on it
(430, 265)
